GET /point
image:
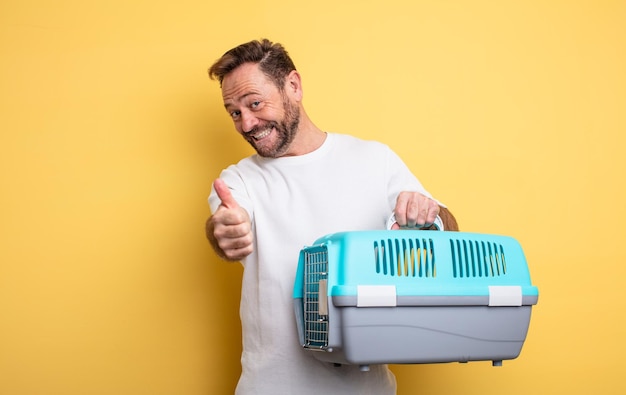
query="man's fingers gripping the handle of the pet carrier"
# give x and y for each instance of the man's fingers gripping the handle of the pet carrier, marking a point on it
(414, 210)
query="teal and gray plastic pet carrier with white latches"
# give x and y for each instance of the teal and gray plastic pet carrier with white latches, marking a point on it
(411, 296)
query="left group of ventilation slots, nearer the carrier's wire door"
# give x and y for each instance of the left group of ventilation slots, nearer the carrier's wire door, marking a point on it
(405, 257)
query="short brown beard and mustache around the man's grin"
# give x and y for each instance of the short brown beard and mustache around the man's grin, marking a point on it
(286, 131)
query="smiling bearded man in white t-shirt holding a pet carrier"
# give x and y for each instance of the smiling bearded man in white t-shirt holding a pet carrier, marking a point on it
(303, 183)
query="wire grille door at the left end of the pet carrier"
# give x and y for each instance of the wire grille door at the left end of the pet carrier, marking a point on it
(315, 298)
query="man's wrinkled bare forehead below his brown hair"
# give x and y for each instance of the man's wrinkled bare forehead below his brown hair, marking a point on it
(245, 80)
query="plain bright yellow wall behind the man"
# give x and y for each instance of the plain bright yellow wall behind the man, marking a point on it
(513, 113)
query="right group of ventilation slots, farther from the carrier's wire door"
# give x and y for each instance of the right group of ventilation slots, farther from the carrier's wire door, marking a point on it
(477, 259)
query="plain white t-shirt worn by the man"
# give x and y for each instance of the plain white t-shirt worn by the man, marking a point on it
(346, 184)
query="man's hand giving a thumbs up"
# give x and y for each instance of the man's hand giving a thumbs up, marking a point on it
(229, 229)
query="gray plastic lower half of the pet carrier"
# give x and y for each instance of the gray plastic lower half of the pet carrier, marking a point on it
(425, 334)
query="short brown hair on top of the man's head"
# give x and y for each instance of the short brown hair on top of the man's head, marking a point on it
(273, 60)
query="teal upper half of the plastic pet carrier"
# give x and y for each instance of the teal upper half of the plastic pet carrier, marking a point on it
(411, 267)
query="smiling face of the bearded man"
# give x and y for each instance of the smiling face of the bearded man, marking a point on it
(262, 113)
